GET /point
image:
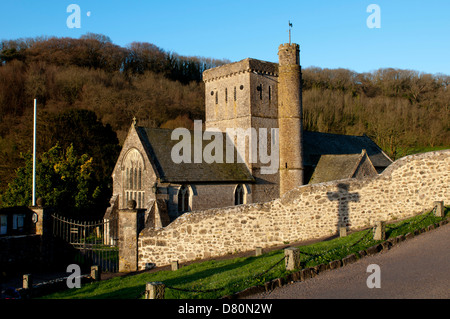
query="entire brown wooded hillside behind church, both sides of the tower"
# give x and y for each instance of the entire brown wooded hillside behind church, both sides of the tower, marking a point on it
(400, 109)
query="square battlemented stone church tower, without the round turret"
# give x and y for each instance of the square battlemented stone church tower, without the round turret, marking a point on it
(243, 95)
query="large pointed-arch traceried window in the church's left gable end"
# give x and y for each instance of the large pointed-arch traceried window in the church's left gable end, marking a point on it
(133, 174)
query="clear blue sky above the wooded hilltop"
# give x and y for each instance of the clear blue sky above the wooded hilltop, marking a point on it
(413, 34)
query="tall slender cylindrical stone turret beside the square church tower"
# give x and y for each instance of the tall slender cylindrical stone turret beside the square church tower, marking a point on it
(290, 117)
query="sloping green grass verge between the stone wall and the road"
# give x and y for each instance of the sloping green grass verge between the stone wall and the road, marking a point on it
(217, 278)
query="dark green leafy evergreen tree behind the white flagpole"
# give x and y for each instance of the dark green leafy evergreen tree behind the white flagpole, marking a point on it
(64, 180)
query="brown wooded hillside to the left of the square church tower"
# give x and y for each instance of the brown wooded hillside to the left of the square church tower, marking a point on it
(92, 74)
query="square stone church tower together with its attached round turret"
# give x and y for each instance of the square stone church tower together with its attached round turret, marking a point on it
(254, 94)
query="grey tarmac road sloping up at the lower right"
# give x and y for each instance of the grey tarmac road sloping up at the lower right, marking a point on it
(418, 268)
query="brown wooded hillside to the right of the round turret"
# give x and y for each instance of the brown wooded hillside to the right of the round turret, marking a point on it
(401, 110)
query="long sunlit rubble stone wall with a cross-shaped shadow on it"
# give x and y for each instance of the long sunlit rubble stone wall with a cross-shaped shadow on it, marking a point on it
(407, 187)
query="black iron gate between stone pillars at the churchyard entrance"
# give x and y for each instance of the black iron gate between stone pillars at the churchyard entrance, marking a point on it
(93, 242)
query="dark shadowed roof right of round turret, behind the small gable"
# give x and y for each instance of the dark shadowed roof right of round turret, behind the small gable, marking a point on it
(316, 144)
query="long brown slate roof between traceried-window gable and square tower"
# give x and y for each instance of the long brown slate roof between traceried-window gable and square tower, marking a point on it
(158, 144)
